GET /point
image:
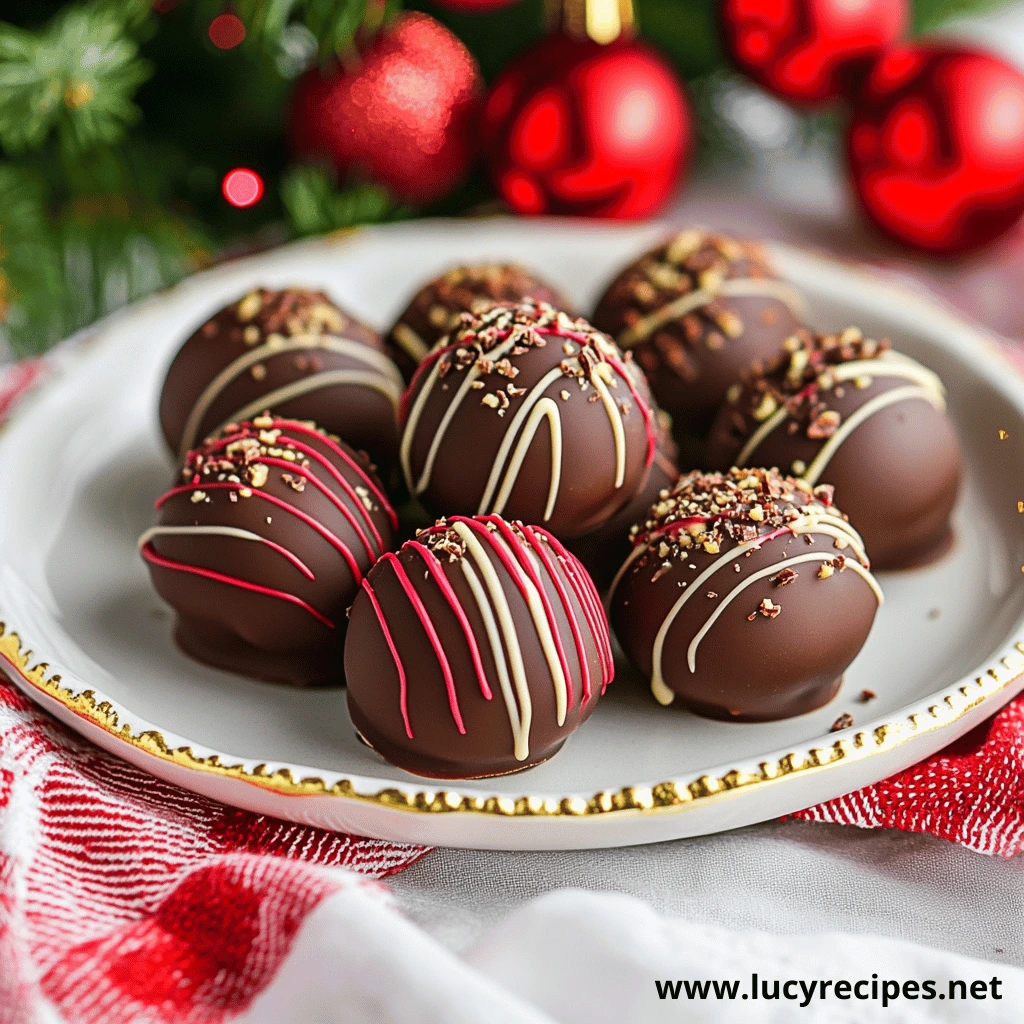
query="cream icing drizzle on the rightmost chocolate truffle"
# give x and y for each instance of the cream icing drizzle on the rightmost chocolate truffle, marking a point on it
(927, 387)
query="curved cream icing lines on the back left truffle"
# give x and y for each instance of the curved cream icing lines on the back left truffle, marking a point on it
(383, 378)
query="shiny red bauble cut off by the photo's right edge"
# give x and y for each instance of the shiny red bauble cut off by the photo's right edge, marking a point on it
(936, 147)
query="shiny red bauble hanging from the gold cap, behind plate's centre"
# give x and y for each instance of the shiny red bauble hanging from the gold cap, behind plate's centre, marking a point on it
(576, 127)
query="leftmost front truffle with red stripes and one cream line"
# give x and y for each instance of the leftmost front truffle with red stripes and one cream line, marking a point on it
(262, 546)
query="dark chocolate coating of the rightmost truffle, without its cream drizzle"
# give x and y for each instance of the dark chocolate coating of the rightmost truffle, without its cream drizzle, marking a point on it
(898, 476)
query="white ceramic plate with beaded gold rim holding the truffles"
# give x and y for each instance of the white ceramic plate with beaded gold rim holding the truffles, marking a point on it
(89, 638)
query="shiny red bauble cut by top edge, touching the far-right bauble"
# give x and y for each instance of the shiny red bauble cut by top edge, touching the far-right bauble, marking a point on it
(810, 52)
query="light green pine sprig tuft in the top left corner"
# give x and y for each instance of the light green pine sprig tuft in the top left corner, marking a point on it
(76, 77)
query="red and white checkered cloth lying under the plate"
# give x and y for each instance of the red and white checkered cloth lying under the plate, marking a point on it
(124, 900)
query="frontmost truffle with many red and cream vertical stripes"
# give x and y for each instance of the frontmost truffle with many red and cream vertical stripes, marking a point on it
(476, 651)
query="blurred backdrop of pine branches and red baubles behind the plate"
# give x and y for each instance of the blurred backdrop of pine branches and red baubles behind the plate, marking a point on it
(144, 140)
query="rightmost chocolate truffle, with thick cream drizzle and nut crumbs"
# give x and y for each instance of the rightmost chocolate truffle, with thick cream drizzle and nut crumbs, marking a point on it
(848, 411)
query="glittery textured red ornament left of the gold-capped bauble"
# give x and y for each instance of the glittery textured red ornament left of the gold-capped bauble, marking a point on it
(405, 115)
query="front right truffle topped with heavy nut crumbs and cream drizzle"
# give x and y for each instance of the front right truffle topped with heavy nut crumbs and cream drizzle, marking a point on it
(747, 596)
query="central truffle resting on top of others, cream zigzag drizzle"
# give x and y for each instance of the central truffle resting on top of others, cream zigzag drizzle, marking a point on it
(531, 414)
